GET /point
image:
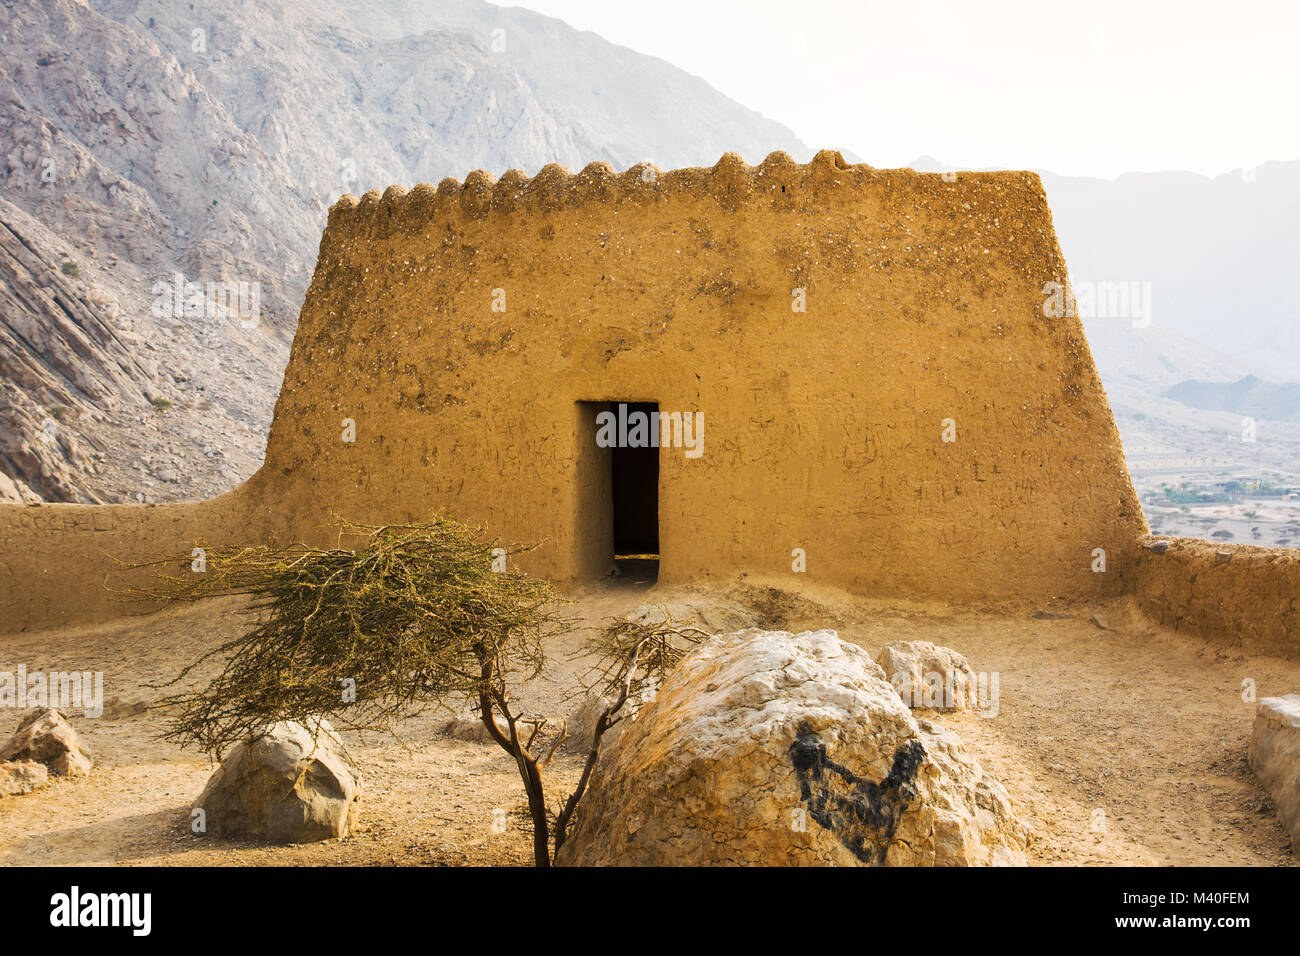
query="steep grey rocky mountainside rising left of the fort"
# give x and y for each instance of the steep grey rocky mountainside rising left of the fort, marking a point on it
(166, 170)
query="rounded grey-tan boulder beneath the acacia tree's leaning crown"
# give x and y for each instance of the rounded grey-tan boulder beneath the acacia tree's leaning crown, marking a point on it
(284, 788)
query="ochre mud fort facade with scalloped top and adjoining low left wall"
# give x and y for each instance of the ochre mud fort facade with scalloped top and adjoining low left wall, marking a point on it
(454, 334)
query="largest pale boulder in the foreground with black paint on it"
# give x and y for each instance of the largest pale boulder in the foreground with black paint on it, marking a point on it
(770, 749)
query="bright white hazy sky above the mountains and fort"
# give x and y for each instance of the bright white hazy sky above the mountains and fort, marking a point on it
(1097, 89)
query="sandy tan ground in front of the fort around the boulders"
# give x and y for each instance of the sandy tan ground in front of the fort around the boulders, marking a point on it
(1117, 747)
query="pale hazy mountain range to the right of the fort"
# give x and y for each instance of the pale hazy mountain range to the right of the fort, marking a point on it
(1215, 257)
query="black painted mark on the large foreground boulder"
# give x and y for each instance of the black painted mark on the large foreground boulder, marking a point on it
(864, 815)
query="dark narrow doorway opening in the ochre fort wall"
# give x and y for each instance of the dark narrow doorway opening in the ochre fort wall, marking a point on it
(635, 478)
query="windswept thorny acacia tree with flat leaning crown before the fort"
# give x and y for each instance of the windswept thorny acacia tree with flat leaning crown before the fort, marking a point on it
(417, 616)
